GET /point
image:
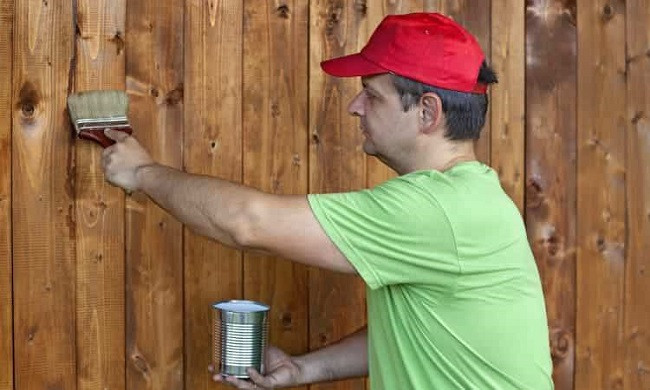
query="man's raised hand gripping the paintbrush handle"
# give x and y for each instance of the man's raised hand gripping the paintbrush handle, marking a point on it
(122, 160)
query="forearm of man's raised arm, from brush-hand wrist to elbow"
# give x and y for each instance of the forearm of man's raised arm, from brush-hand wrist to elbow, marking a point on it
(207, 205)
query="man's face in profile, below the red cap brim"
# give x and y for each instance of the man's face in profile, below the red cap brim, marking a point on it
(389, 132)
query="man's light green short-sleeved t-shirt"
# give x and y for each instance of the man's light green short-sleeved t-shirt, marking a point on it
(454, 297)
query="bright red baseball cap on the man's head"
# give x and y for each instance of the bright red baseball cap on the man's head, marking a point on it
(427, 47)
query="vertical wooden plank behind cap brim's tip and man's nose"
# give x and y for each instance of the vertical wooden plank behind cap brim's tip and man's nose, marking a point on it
(336, 163)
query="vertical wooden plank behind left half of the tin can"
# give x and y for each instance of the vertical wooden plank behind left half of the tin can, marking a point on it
(213, 146)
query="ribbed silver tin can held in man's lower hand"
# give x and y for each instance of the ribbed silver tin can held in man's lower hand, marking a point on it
(239, 336)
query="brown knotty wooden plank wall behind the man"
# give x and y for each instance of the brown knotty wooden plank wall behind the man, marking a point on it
(99, 290)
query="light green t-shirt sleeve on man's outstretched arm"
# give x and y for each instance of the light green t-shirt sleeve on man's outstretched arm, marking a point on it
(394, 233)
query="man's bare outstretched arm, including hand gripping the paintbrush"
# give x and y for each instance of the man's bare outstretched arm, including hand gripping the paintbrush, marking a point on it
(233, 214)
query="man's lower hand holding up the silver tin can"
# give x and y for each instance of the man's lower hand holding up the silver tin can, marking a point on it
(282, 370)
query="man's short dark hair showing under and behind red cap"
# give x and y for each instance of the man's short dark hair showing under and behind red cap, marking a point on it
(465, 112)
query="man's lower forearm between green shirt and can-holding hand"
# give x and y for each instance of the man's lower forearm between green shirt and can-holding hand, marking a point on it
(346, 359)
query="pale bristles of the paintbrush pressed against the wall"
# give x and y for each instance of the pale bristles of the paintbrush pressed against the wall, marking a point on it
(97, 105)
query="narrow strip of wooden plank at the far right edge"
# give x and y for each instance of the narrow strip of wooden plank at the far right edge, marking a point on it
(637, 284)
